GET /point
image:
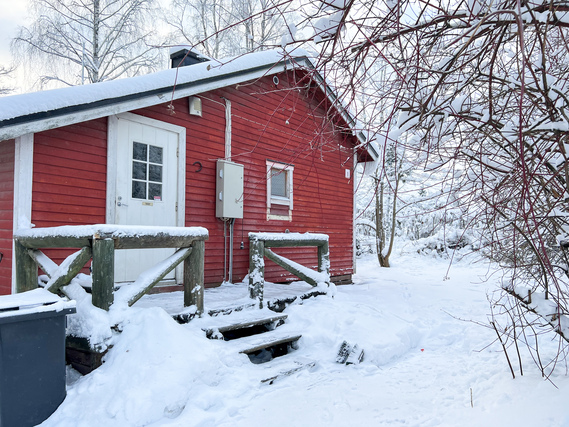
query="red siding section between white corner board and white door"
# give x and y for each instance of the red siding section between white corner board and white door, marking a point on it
(69, 181)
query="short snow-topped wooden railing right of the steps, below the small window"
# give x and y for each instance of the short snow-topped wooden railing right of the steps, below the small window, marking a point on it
(258, 249)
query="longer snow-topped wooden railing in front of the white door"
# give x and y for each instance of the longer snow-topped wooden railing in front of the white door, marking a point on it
(99, 243)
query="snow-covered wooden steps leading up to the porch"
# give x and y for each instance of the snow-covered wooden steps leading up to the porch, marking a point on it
(257, 334)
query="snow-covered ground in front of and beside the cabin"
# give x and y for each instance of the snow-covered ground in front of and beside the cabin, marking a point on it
(422, 366)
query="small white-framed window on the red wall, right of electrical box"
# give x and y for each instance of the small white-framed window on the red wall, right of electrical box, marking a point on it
(279, 190)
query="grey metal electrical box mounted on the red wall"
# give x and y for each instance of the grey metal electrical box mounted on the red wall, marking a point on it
(229, 190)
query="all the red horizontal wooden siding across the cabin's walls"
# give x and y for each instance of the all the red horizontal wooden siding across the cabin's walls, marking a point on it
(282, 123)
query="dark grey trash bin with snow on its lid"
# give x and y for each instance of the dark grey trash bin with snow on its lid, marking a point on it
(32, 356)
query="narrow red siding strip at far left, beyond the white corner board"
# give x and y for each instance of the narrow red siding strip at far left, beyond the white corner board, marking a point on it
(6, 213)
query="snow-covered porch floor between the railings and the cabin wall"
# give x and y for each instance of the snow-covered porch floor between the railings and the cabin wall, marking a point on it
(230, 297)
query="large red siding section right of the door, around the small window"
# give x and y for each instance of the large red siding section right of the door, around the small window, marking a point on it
(280, 123)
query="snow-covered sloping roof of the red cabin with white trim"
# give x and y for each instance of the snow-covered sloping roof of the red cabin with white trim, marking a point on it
(39, 111)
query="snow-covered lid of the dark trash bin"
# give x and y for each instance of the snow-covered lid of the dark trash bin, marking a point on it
(34, 301)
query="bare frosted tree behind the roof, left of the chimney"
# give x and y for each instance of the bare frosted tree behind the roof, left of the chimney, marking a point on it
(75, 41)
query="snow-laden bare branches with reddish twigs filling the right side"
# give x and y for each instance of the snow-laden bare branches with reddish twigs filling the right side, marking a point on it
(481, 88)
